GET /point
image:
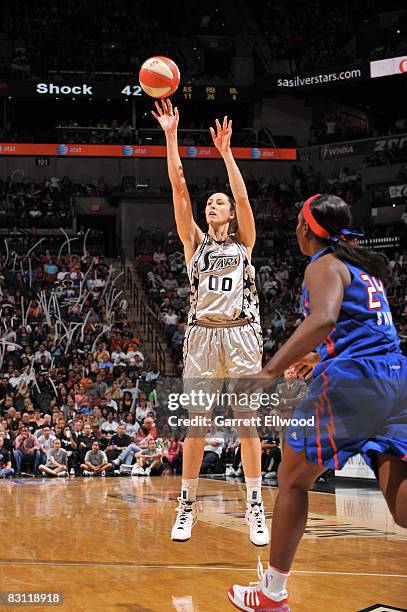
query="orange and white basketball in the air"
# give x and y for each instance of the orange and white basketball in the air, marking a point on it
(159, 77)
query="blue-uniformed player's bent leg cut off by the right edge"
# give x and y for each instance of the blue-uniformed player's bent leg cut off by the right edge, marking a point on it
(392, 476)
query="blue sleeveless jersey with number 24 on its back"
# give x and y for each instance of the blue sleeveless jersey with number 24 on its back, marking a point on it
(365, 326)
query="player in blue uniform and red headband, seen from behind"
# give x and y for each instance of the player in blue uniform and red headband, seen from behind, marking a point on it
(358, 389)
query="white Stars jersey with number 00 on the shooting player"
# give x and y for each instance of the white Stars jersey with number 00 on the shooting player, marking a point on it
(223, 291)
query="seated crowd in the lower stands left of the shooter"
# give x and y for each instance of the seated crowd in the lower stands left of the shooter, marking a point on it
(75, 388)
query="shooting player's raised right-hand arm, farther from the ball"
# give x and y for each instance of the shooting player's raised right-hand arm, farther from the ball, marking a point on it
(244, 213)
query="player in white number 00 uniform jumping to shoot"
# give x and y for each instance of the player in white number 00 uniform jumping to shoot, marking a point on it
(223, 339)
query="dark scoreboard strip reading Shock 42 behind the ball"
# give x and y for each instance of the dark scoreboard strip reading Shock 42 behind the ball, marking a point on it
(117, 90)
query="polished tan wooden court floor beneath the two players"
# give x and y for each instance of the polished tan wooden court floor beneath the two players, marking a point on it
(104, 543)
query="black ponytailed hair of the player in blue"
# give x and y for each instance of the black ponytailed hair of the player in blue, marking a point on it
(333, 214)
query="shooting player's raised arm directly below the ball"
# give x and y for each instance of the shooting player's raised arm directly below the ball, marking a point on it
(188, 231)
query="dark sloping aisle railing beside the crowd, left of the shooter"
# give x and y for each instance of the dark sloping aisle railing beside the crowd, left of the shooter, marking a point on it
(146, 319)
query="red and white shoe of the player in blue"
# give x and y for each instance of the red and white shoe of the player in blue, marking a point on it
(254, 599)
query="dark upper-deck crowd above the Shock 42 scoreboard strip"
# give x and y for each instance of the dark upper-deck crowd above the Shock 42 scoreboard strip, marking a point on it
(55, 38)
